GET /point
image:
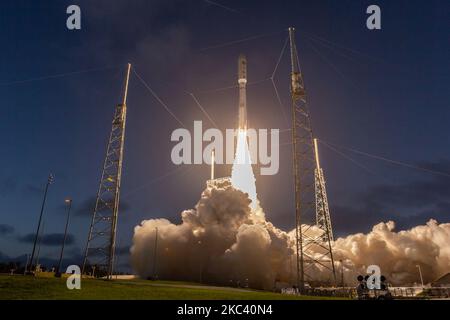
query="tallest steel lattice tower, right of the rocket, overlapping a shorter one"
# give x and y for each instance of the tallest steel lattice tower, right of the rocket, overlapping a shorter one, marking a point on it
(314, 252)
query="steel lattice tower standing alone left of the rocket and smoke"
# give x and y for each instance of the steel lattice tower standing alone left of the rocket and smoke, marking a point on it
(100, 247)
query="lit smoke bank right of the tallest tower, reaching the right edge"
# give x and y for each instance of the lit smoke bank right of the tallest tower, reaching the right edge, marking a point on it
(398, 253)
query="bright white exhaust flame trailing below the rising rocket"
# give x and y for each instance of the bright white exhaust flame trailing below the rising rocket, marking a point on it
(242, 176)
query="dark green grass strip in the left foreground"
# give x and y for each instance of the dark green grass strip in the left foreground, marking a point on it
(48, 288)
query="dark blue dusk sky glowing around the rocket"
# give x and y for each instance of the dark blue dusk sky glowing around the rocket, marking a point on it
(384, 92)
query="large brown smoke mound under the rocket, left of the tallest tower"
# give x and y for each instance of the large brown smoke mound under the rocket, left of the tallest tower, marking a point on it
(220, 241)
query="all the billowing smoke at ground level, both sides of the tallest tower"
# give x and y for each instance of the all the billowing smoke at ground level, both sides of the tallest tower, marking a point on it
(223, 242)
